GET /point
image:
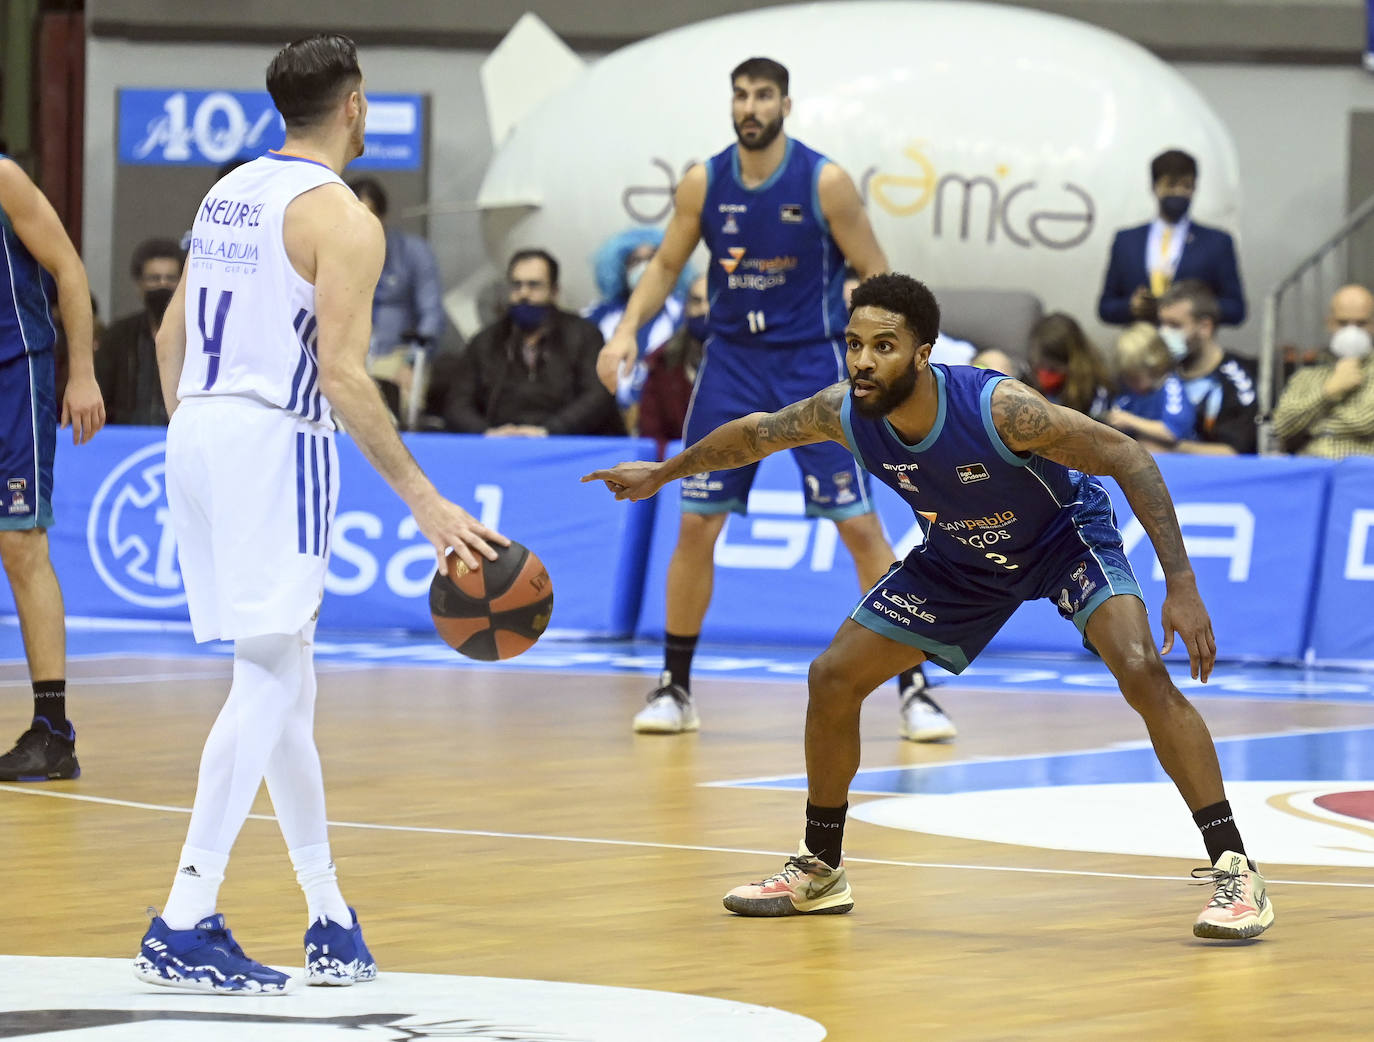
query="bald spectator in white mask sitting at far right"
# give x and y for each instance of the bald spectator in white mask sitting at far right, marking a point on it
(1328, 409)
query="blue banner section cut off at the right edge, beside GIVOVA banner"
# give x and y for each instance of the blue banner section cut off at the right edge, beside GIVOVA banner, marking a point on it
(1343, 622)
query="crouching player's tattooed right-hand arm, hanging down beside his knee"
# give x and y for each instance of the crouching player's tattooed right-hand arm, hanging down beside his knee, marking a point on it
(1030, 424)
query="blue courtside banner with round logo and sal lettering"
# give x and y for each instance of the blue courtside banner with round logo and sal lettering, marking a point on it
(116, 557)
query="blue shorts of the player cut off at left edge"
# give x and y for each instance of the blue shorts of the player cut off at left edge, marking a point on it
(28, 441)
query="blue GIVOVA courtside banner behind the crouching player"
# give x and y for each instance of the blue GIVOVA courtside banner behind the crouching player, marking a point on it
(785, 578)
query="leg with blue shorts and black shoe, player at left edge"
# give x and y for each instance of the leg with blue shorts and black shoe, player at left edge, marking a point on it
(28, 443)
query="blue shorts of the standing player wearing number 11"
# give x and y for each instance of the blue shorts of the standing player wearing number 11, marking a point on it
(733, 383)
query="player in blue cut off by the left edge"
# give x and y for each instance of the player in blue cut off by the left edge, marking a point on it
(34, 247)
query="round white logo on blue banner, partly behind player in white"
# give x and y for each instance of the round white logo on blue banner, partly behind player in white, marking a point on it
(130, 533)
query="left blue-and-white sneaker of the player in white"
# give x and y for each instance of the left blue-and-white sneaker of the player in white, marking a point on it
(204, 959)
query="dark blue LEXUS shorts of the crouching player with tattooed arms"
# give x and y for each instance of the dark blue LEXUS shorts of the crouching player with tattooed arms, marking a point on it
(951, 614)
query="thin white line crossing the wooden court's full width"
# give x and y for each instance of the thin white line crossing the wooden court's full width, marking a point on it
(642, 845)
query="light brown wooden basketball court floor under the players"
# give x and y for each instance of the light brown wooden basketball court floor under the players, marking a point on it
(508, 824)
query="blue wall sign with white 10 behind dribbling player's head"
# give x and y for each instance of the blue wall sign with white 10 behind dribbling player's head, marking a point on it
(207, 129)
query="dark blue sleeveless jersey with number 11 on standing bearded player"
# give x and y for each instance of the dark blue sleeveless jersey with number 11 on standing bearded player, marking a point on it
(777, 276)
